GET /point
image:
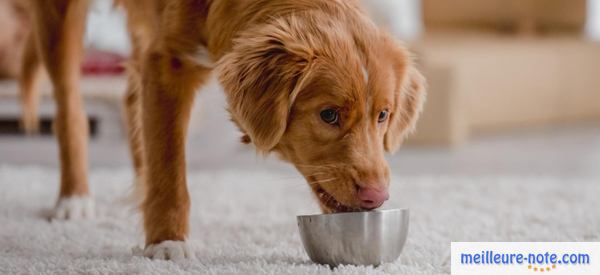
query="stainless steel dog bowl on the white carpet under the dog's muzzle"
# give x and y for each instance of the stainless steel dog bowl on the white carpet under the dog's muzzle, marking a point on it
(358, 238)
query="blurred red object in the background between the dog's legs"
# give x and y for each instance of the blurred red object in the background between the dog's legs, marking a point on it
(98, 62)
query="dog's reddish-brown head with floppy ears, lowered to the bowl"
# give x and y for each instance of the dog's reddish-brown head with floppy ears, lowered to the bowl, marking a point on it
(330, 98)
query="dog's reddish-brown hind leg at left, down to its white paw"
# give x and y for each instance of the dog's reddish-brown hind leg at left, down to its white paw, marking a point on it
(59, 28)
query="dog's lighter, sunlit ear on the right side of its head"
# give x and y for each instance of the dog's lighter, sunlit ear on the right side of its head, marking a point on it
(408, 101)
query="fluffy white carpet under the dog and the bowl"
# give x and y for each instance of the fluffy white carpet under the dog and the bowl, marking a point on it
(244, 222)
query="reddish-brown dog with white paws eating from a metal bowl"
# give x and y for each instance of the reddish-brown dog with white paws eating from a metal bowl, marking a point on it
(314, 81)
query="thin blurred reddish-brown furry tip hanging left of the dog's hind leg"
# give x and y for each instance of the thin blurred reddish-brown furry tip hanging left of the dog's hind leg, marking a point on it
(28, 84)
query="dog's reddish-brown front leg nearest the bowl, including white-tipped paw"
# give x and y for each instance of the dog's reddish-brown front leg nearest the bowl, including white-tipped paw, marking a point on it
(169, 84)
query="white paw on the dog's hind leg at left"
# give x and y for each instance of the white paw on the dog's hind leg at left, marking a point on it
(74, 208)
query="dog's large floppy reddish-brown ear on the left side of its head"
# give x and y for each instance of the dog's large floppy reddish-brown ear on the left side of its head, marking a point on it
(261, 76)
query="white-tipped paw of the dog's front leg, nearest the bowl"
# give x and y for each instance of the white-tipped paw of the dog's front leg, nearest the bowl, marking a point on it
(169, 250)
